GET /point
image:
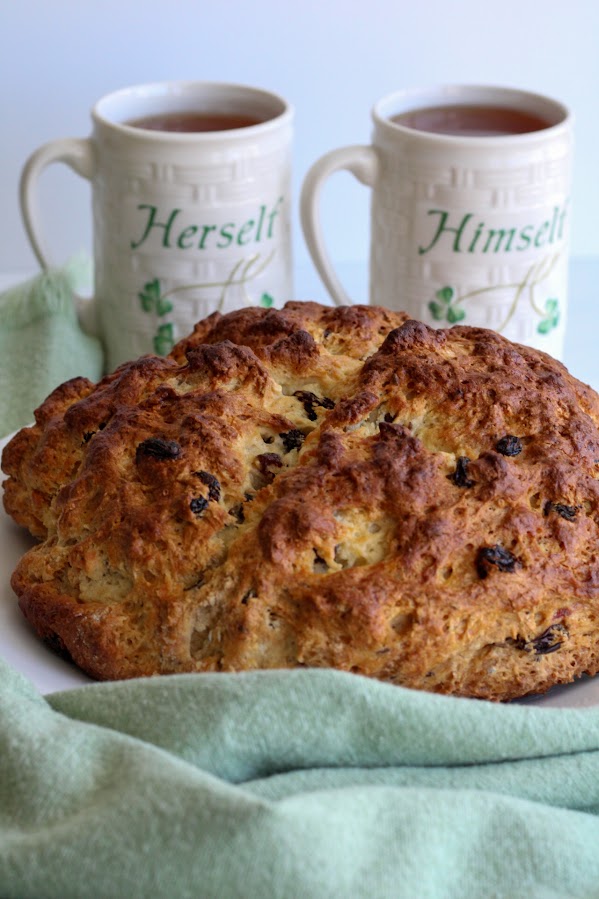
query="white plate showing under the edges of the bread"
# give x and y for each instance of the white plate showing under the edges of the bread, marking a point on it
(24, 651)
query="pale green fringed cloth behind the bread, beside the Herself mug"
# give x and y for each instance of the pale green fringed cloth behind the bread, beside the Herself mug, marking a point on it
(41, 344)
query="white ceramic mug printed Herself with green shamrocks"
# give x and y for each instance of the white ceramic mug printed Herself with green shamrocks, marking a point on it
(184, 223)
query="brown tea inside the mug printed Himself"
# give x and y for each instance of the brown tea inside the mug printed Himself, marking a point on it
(462, 120)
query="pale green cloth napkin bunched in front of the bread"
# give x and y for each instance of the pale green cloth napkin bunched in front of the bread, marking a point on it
(308, 783)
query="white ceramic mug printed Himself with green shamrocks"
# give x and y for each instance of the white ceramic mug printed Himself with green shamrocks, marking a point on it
(464, 228)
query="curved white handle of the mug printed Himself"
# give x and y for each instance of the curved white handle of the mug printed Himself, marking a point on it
(362, 162)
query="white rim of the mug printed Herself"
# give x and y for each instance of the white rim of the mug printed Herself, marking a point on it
(170, 90)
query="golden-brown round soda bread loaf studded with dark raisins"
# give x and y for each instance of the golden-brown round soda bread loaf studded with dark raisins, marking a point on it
(318, 487)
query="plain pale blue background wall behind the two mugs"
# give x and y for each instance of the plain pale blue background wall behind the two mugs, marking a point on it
(332, 60)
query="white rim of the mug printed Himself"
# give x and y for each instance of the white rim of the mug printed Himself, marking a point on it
(467, 94)
